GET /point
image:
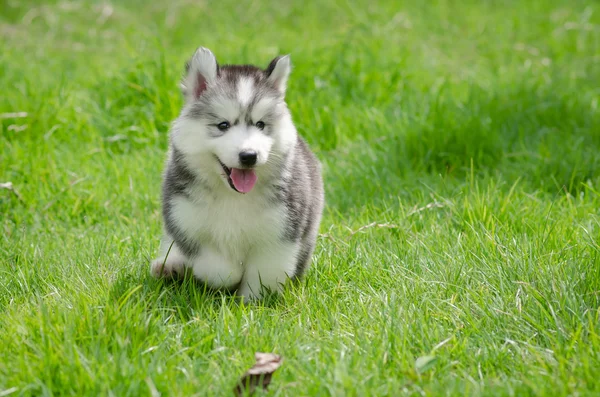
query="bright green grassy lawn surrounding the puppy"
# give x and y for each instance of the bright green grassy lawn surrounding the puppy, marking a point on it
(460, 247)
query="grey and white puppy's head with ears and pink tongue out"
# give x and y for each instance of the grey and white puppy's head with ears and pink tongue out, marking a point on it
(235, 122)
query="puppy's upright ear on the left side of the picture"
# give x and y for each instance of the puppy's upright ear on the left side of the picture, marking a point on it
(200, 71)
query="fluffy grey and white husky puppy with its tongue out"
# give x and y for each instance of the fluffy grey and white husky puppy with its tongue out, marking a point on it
(242, 194)
